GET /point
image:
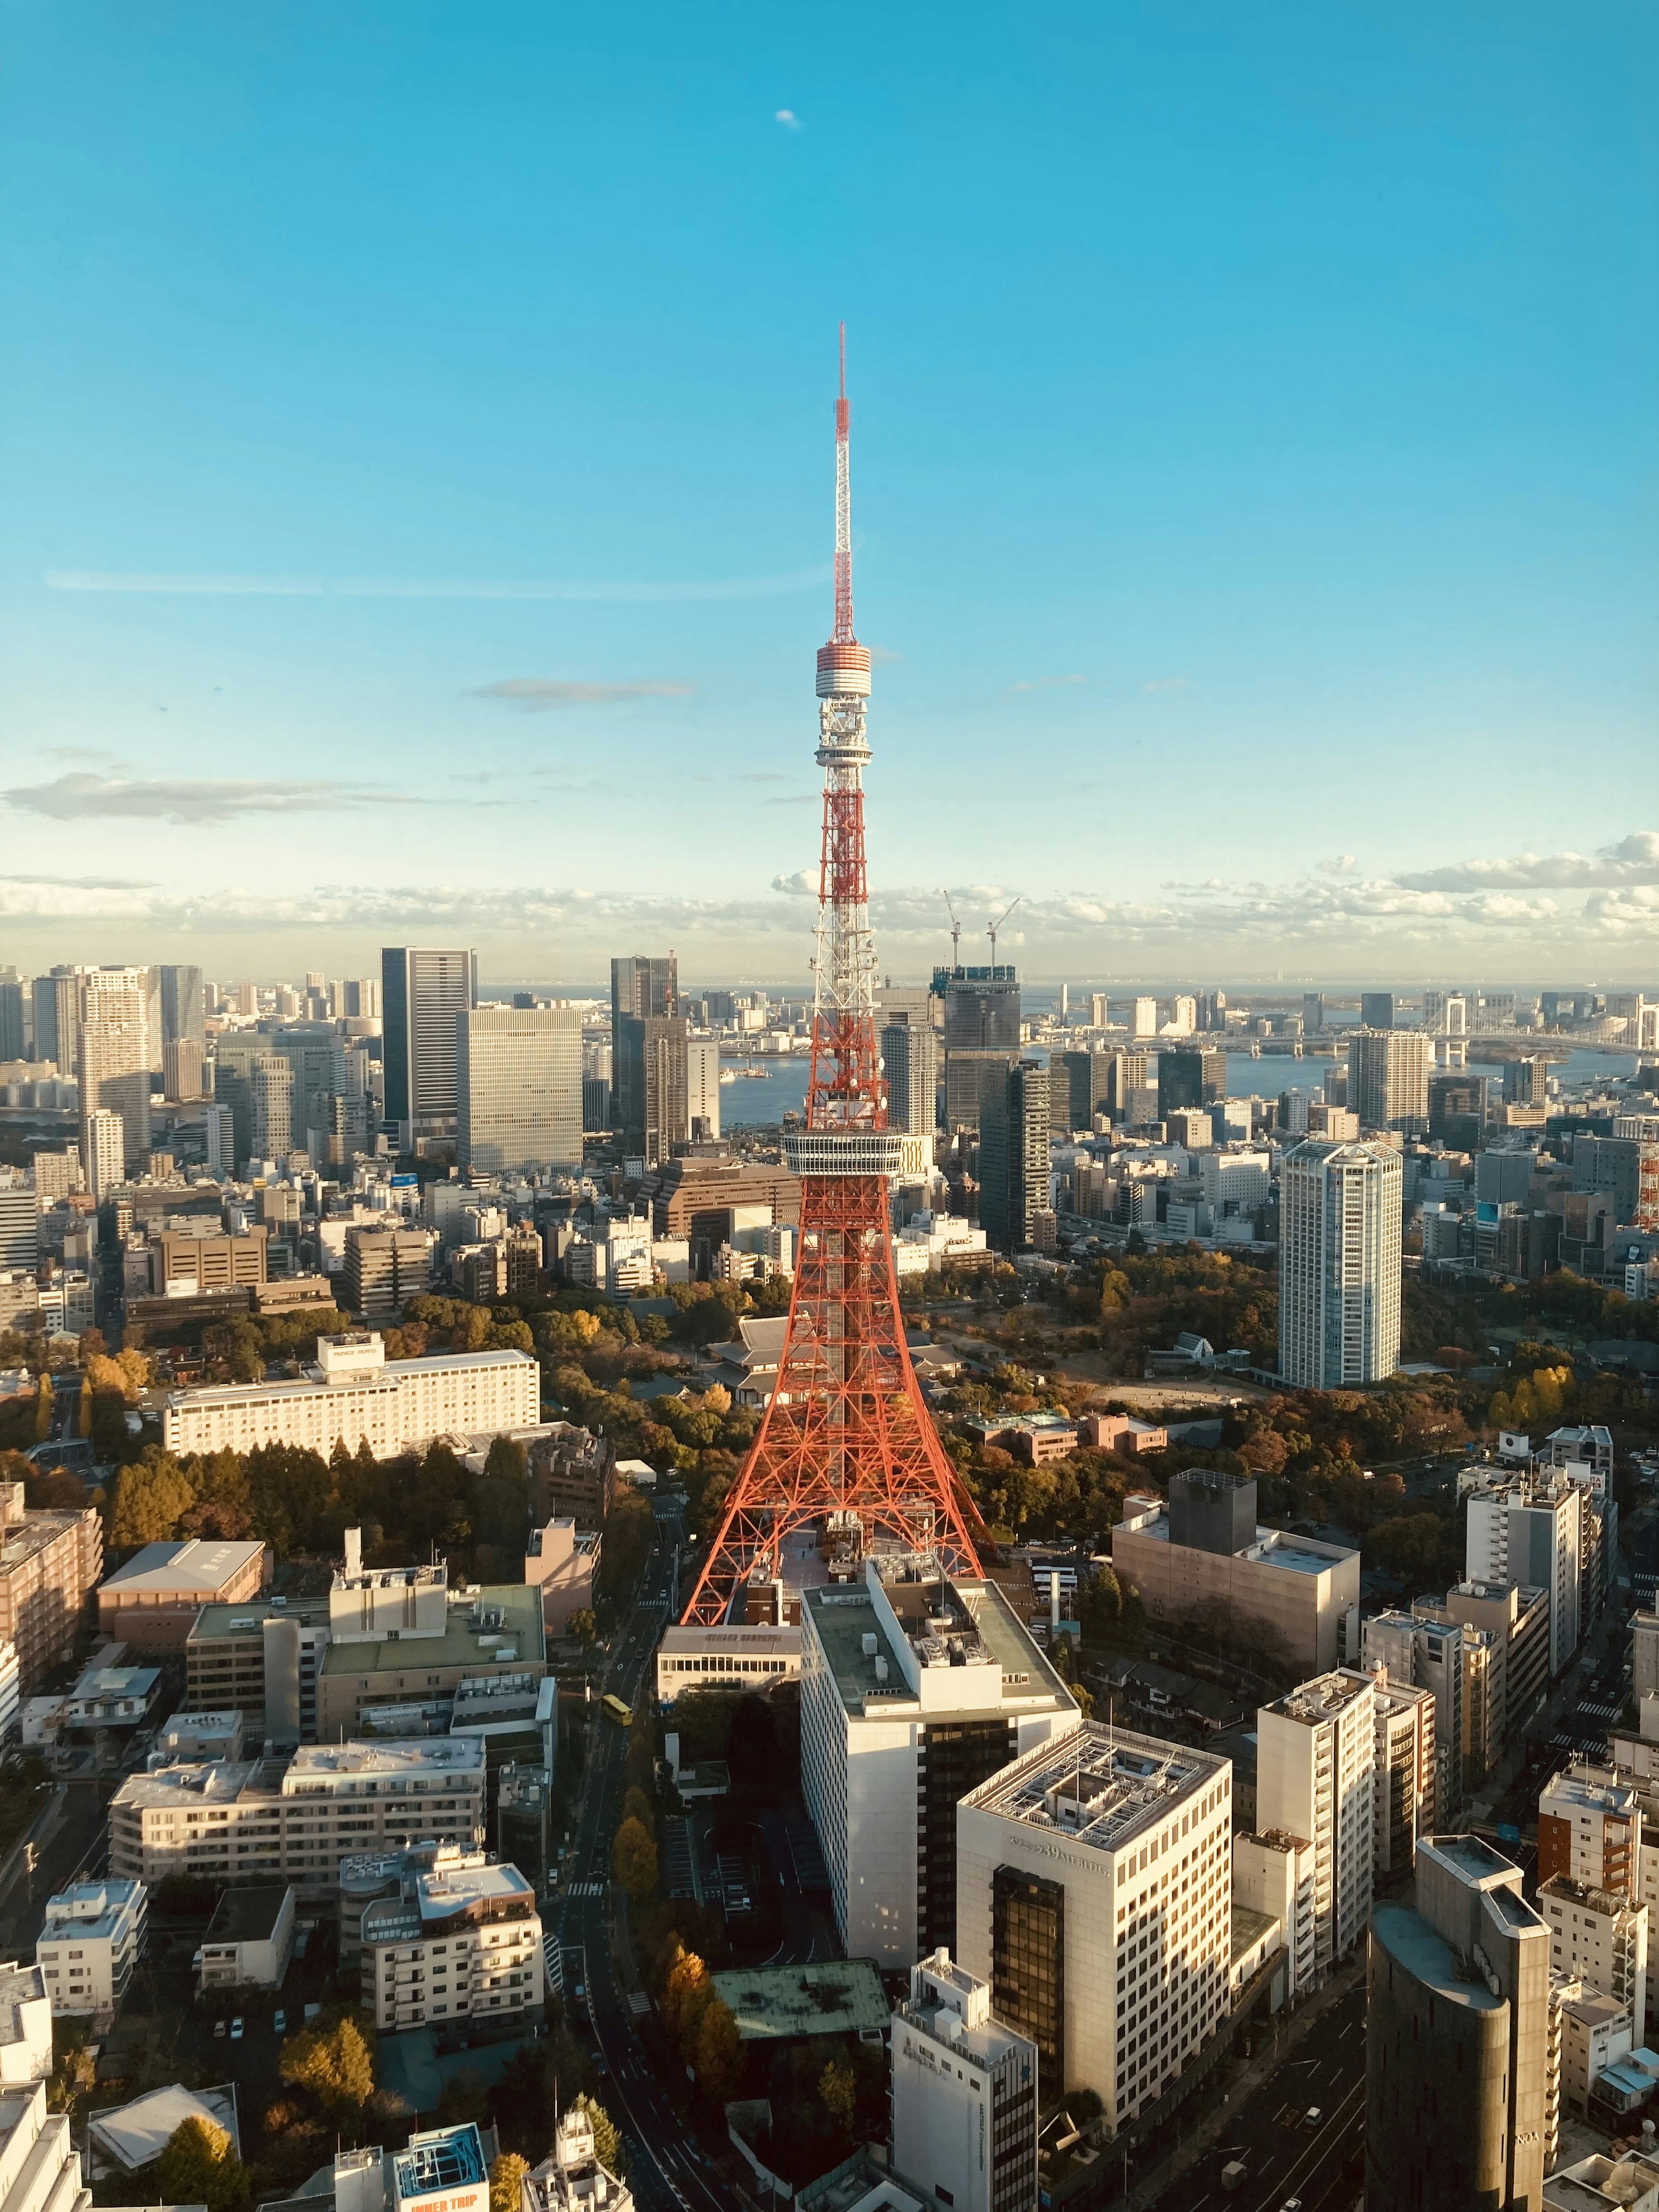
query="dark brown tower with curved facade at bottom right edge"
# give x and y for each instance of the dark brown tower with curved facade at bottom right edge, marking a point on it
(1457, 2058)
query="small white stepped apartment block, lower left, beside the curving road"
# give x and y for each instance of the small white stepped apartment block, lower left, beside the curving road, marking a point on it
(459, 1943)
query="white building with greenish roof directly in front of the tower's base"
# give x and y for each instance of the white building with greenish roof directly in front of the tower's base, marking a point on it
(912, 1691)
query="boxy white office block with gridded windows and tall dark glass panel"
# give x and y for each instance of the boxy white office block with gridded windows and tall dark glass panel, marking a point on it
(1094, 1895)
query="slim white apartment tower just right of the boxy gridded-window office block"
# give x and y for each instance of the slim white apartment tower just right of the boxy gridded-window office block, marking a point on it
(1317, 1780)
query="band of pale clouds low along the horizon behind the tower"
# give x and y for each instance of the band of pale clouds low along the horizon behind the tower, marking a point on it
(1527, 915)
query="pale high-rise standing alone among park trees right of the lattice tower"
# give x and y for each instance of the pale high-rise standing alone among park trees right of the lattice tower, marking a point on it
(1339, 1264)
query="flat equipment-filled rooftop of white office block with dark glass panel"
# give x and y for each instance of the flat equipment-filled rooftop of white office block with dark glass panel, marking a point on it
(1098, 1786)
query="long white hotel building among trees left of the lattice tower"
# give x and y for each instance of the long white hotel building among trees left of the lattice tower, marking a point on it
(357, 1397)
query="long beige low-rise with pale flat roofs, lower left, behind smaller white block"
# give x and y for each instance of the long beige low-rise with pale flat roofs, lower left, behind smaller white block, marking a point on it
(300, 1815)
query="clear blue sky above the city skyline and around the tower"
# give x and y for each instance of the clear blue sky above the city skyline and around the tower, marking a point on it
(417, 481)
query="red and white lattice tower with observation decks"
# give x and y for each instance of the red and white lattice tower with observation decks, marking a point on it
(846, 1432)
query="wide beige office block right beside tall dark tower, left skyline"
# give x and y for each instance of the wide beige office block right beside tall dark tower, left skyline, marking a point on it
(521, 1087)
